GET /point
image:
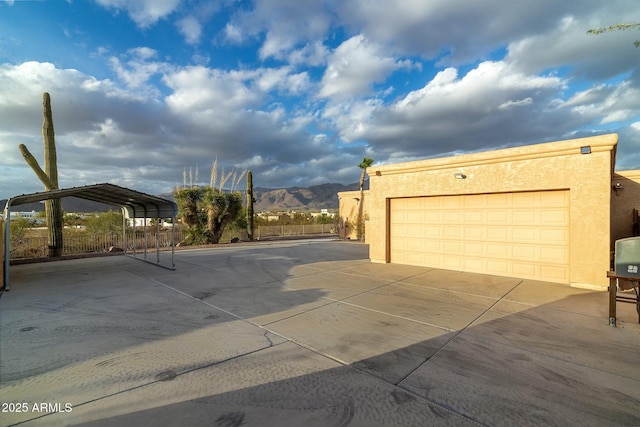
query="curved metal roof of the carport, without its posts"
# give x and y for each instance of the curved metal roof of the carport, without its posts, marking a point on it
(137, 204)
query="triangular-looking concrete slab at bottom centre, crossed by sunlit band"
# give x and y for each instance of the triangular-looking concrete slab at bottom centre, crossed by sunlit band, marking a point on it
(283, 385)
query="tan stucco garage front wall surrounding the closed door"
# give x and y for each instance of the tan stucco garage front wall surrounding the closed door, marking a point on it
(548, 166)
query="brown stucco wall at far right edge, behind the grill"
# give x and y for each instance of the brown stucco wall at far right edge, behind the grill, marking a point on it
(623, 201)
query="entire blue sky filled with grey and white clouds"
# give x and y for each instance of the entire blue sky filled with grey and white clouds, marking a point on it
(298, 91)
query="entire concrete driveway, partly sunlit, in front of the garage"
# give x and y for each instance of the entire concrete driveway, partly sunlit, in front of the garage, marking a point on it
(307, 333)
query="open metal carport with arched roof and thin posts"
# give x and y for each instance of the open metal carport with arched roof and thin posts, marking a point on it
(134, 204)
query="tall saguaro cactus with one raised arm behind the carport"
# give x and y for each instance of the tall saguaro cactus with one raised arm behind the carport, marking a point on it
(49, 177)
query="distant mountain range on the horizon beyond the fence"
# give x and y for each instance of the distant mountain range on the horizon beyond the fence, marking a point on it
(323, 196)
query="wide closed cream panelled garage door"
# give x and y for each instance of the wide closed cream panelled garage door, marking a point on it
(509, 234)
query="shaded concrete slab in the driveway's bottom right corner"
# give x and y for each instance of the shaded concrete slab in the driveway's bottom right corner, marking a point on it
(512, 386)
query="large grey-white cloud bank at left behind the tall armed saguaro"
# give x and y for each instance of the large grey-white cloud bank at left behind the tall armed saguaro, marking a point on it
(103, 134)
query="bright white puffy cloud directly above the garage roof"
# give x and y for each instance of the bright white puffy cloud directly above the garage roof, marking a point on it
(459, 113)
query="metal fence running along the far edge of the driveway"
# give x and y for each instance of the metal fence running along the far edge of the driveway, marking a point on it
(84, 243)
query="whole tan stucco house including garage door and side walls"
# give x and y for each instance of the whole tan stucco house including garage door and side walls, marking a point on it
(547, 212)
